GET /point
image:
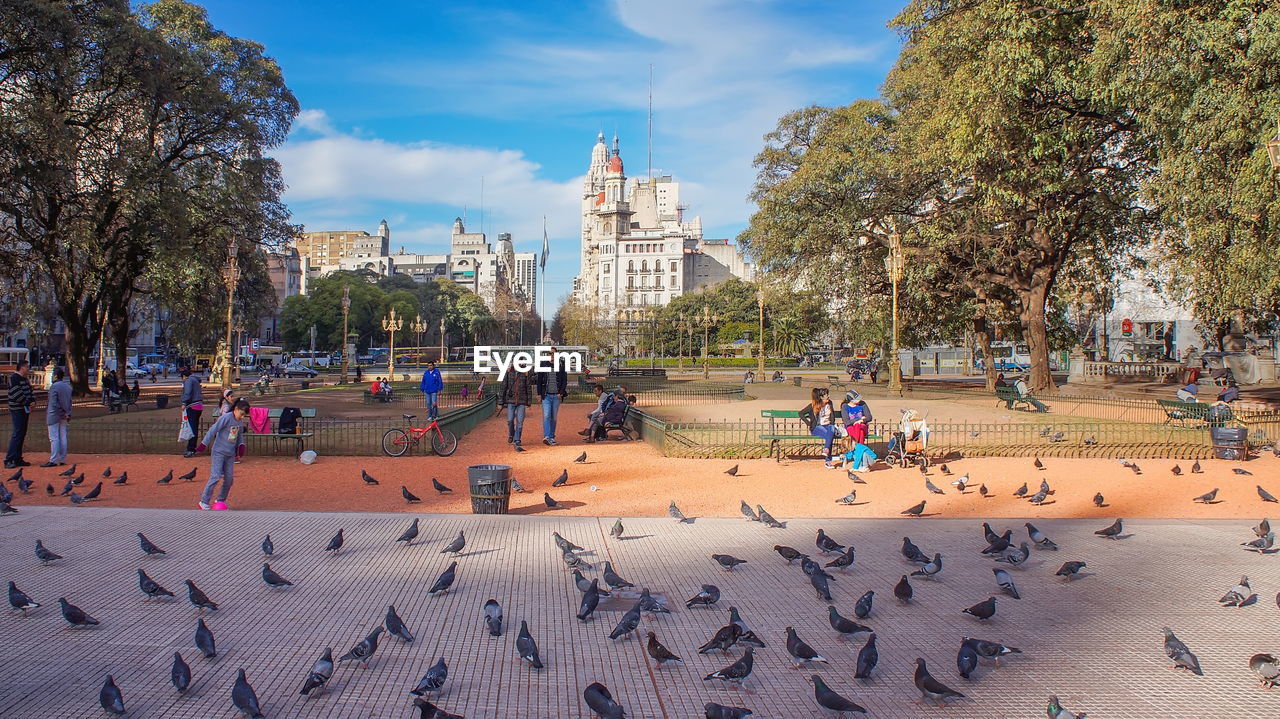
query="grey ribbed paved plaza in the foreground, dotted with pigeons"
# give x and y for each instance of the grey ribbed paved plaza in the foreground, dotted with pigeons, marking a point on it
(1095, 642)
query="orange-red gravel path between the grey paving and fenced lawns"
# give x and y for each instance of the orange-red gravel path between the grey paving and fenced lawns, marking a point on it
(634, 480)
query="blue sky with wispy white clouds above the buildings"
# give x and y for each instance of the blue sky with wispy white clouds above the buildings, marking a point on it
(408, 104)
